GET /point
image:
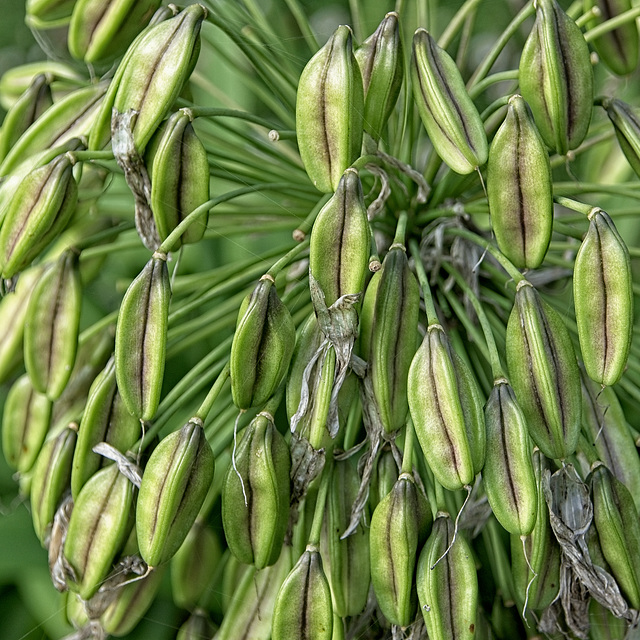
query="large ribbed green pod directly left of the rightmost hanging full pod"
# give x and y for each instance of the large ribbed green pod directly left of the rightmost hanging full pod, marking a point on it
(544, 373)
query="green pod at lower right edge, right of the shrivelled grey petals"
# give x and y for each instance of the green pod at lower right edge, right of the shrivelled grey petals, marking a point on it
(616, 519)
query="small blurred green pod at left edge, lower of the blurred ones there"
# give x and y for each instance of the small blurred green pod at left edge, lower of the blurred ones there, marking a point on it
(25, 423)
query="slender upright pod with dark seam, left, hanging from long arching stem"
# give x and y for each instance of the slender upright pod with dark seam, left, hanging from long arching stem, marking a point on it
(141, 336)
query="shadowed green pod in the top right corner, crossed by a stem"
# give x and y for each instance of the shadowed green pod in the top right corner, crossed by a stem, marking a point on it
(619, 48)
